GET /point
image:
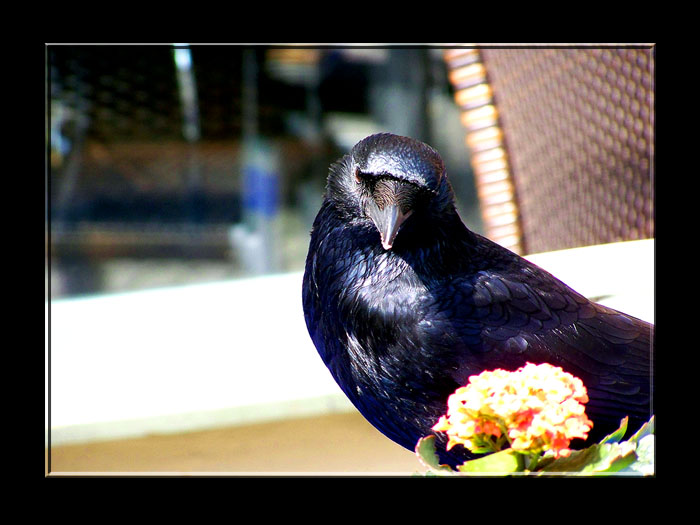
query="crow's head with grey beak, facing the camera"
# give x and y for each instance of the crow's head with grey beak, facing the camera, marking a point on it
(386, 179)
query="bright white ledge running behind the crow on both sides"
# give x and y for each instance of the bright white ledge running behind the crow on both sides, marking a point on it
(237, 352)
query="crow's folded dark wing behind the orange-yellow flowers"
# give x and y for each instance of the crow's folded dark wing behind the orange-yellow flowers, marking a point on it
(529, 316)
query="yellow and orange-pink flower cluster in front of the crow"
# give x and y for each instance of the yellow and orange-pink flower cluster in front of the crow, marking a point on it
(535, 409)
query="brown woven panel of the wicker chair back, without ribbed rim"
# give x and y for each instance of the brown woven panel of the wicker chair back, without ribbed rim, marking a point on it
(577, 126)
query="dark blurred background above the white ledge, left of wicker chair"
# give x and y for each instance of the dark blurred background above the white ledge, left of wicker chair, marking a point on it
(180, 164)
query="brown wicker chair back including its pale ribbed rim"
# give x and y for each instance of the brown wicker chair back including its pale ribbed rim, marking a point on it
(561, 141)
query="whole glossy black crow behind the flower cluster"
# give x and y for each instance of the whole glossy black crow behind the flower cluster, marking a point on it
(403, 317)
